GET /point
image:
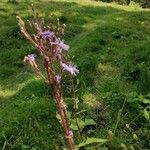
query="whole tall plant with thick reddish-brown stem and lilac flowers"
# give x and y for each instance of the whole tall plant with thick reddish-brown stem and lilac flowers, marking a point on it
(48, 42)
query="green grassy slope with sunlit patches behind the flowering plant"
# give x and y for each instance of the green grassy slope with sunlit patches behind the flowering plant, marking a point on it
(110, 44)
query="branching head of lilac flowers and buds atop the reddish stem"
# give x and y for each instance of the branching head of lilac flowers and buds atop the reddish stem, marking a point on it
(50, 46)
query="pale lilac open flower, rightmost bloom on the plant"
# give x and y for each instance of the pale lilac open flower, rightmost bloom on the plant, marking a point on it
(71, 68)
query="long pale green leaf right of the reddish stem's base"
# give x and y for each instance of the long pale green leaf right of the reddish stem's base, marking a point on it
(91, 141)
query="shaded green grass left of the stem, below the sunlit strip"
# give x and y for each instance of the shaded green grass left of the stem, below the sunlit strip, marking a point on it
(28, 119)
